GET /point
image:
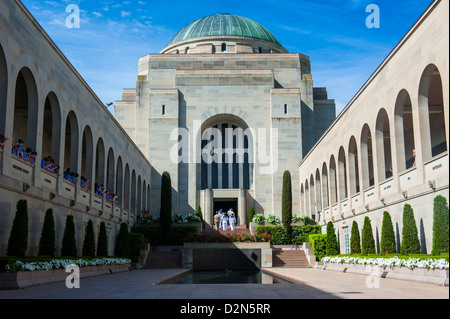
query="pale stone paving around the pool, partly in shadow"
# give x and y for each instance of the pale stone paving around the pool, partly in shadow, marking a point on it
(315, 284)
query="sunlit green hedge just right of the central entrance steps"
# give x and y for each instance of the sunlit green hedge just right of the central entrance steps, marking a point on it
(279, 236)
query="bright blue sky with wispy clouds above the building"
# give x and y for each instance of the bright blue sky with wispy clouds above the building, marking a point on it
(114, 34)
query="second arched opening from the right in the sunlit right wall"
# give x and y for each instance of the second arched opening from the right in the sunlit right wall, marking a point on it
(404, 132)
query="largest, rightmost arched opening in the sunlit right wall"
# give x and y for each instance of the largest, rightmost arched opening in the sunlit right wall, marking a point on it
(431, 106)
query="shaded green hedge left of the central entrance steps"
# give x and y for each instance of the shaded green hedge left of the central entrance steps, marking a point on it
(153, 234)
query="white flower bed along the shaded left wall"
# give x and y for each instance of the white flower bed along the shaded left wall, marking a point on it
(63, 263)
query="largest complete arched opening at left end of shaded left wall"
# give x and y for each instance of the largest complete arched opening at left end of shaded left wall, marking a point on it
(26, 109)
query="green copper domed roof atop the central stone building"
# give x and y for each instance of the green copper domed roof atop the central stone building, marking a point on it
(223, 24)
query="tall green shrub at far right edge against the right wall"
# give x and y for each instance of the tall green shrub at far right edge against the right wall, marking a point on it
(440, 226)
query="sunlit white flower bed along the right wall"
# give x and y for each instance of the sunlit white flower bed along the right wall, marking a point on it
(390, 262)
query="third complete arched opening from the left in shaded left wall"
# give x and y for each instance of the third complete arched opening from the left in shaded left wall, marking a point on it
(71, 143)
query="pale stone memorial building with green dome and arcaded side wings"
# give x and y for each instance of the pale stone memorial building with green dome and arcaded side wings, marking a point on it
(225, 89)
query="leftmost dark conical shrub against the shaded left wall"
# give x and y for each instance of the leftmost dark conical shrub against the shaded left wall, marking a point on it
(18, 238)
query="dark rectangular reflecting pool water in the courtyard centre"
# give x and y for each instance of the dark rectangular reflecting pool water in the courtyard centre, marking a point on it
(224, 277)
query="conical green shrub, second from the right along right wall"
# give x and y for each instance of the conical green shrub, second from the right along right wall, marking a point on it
(410, 239)
